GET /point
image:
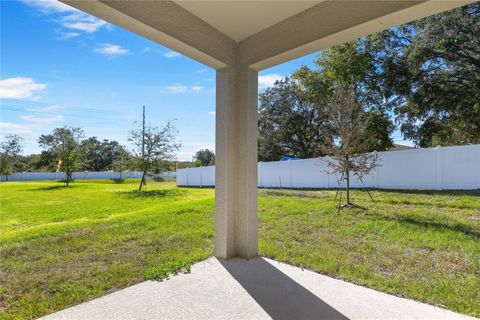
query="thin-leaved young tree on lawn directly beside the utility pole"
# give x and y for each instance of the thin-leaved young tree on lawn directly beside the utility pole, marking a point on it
(153, 144)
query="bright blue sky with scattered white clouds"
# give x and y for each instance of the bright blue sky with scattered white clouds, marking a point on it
(63, 67)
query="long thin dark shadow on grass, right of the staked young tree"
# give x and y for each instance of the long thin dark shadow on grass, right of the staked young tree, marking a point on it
(430, 224)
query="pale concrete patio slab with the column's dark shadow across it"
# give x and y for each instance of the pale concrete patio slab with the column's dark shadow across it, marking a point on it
(258, 288)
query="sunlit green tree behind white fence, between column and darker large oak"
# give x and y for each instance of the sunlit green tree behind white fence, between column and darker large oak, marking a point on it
(293, 119)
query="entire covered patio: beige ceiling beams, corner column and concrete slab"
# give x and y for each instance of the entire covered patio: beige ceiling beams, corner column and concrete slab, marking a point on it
(238, 39)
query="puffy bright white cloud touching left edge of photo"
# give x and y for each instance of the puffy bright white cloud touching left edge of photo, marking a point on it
(19, 88)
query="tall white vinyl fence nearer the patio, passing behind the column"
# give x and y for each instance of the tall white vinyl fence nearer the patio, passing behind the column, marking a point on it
(431, 168)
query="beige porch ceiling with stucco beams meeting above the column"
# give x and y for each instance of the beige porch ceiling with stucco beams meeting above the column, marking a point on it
(259, 34)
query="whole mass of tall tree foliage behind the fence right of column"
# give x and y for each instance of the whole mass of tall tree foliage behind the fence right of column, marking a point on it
(423, 77)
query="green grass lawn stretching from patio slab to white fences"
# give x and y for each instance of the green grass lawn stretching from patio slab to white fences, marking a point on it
(61, 246)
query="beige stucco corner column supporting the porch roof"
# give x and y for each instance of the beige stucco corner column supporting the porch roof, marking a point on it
(236, 220)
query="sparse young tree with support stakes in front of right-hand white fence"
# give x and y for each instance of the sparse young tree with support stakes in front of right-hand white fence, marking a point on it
(351, 140)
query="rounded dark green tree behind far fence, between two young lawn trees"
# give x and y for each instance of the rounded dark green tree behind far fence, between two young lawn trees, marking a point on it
(99, 155)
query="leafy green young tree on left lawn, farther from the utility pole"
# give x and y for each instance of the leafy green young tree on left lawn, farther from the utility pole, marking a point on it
(64, 144)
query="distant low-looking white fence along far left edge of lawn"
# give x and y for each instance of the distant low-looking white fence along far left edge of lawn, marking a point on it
(25, 176)
